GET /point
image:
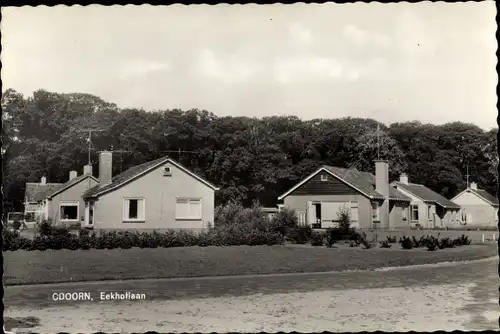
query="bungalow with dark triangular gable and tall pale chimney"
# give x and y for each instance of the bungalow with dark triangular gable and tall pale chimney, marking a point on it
(369, 199)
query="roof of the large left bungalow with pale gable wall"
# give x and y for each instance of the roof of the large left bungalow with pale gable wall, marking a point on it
(137, 171)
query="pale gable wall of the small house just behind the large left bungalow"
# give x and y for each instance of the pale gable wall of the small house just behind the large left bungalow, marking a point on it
(72, 194)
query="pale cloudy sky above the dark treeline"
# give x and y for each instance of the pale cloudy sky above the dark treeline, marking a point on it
(431, 62)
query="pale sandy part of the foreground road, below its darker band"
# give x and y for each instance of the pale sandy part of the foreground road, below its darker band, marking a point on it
(389, 309)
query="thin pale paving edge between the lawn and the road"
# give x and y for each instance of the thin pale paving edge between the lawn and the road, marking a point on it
(335, 272)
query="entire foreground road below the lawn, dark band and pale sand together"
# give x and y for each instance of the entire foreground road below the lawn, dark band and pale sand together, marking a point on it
(458, 297)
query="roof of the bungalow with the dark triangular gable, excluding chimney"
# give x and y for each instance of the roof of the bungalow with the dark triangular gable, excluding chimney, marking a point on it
(363, 182)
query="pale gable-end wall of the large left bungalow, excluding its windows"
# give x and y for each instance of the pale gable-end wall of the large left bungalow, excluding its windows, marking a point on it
(160, 193)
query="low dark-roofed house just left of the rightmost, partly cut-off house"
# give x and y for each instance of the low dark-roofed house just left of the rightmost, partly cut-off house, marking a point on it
(428, 209)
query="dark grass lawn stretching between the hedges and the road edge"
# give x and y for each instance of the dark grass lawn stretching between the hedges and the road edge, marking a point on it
(32, 267)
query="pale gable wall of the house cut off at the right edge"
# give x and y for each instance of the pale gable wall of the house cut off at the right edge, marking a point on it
(480, 212)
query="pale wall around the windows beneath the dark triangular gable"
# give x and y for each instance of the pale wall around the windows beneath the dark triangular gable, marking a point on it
(299, 203)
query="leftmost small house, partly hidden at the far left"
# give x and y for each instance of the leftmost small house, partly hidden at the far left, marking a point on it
(35, 200)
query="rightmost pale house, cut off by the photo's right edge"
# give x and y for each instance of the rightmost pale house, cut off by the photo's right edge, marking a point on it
(479, 208)
